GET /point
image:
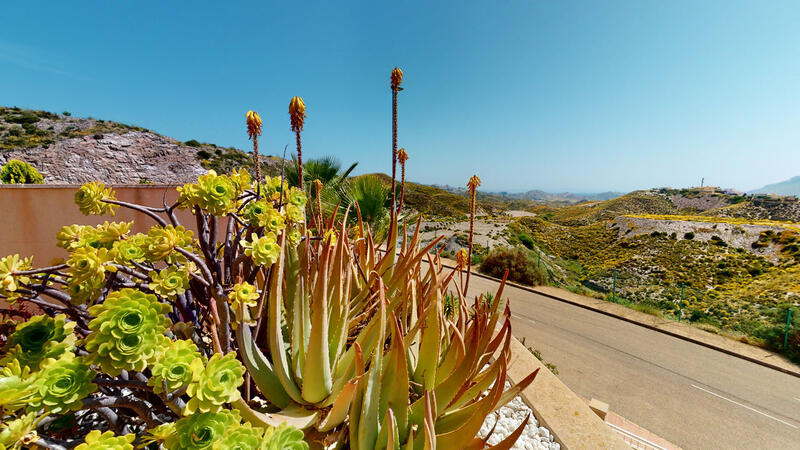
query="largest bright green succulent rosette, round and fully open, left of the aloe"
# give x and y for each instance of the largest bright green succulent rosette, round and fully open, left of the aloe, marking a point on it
(127, 331)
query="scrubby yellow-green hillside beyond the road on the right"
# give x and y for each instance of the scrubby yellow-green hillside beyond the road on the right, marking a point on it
(739, 274)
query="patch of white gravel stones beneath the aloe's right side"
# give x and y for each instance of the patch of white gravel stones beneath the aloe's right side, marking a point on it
(508, 419)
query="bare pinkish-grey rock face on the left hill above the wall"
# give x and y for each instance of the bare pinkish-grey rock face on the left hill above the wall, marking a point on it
(129, 158)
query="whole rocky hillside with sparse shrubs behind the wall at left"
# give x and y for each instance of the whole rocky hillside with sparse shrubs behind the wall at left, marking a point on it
(70, 150)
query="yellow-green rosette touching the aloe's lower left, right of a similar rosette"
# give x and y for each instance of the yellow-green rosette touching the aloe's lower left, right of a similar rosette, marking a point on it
(218, 383)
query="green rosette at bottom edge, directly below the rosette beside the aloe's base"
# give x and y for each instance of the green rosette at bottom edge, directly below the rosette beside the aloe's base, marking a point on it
(201, 431)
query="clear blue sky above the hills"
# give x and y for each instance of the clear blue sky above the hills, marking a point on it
(555, 95)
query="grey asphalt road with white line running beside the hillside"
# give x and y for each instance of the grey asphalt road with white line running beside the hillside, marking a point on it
(693, 396)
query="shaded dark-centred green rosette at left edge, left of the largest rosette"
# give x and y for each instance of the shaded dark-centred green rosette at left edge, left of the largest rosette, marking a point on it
(39, 338)
